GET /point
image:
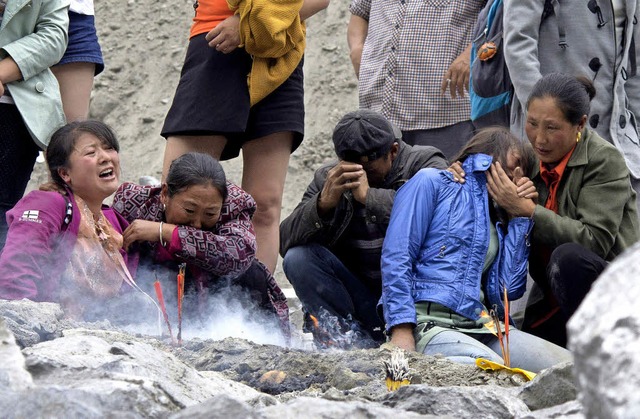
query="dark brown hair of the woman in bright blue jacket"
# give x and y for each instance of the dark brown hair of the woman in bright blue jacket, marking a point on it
(497, 142)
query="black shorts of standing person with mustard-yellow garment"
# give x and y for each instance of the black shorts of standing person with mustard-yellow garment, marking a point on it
(212, 98)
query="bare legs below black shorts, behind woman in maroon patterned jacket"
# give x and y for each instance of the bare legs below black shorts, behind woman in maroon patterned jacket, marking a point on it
(266, 161)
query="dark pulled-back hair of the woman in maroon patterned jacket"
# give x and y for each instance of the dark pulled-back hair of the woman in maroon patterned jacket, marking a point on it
(196, 169)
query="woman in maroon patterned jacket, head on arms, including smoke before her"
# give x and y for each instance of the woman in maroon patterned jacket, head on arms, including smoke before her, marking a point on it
(198, 220)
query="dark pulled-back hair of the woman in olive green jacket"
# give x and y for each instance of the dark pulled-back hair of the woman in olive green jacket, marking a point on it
(572, 94)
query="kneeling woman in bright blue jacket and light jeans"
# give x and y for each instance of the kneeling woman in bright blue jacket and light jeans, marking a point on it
(450, 251)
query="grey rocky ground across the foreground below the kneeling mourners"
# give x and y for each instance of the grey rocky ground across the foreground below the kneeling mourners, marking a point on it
(55, 367)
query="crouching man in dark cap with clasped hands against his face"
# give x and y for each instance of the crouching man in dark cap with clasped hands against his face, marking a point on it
(332, 241)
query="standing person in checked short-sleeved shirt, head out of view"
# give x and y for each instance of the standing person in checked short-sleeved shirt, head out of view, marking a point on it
(412, 60)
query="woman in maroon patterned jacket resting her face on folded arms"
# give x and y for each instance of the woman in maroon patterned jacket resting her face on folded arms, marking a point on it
(198, 218)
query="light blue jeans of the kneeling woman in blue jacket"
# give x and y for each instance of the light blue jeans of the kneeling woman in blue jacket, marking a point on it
(526, 351)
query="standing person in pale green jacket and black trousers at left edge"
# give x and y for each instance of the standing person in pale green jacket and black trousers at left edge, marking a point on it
(33, 37)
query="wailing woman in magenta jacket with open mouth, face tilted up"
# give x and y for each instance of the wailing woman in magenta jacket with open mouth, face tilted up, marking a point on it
(63, 245)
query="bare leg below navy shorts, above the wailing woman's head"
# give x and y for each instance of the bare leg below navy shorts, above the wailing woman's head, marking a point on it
(76, 82)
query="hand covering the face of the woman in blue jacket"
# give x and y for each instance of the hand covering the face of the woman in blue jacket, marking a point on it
(505, 192)
